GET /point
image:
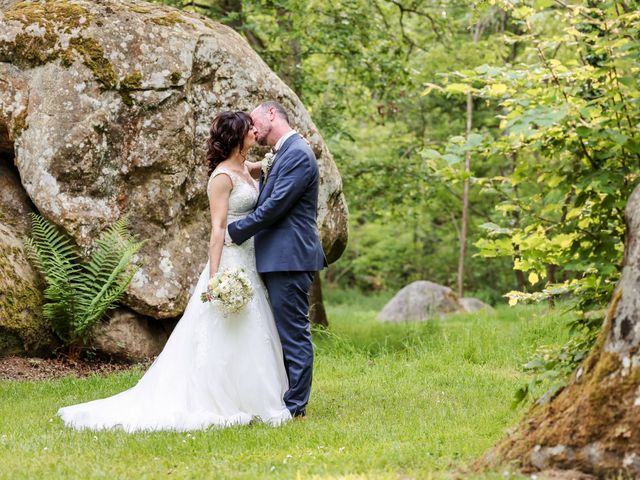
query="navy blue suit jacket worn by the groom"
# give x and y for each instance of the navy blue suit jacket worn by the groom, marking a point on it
(284, 221)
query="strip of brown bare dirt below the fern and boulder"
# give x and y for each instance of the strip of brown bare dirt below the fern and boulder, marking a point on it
(19, 368)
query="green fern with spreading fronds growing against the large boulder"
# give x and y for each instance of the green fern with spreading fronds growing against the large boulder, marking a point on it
(77, 293)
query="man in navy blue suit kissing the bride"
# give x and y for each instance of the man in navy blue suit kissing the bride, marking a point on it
(288, 248)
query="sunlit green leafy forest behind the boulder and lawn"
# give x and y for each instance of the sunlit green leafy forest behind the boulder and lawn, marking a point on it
(489, 146)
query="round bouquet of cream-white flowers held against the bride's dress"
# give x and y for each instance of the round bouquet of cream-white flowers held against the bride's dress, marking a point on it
(230, 290)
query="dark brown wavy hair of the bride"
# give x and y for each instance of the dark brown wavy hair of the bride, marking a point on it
(227, 132)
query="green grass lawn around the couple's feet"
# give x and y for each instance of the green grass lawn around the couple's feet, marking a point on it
(389, 401)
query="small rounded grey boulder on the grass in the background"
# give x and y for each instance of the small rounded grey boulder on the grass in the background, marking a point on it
(421, 300)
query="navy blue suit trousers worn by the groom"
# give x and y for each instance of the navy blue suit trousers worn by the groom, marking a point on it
(289, 296)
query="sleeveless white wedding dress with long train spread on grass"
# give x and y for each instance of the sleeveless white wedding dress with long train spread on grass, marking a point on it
(214, 370)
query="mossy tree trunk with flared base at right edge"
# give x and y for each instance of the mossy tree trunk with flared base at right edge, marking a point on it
(592, 425)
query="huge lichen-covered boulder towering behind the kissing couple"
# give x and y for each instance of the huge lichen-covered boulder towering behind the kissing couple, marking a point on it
(107, 106)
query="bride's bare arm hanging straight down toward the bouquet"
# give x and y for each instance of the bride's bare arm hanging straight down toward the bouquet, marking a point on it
(218, 192)
